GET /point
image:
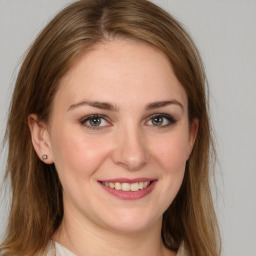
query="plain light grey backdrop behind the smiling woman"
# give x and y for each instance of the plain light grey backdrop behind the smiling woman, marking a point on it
(225, 32)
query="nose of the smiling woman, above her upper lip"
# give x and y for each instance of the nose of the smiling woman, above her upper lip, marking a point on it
(131, 150)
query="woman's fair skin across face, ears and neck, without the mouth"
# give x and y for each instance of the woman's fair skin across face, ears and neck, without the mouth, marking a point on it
(127, 144)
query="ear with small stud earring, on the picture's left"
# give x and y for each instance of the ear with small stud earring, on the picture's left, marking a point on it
(40, 138)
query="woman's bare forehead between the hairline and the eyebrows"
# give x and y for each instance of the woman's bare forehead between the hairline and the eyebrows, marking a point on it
(121, 71)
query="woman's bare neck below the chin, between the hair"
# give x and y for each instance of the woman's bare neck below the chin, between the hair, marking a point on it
(86, 238)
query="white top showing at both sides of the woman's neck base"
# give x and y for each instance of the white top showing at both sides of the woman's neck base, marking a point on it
(56, 249)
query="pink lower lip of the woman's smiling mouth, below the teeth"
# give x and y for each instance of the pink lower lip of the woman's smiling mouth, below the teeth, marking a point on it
(129, 195)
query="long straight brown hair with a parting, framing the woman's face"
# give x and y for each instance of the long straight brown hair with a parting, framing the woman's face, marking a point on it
(37, 210)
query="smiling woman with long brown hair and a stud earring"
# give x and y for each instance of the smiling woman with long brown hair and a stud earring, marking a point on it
(109, 138)
